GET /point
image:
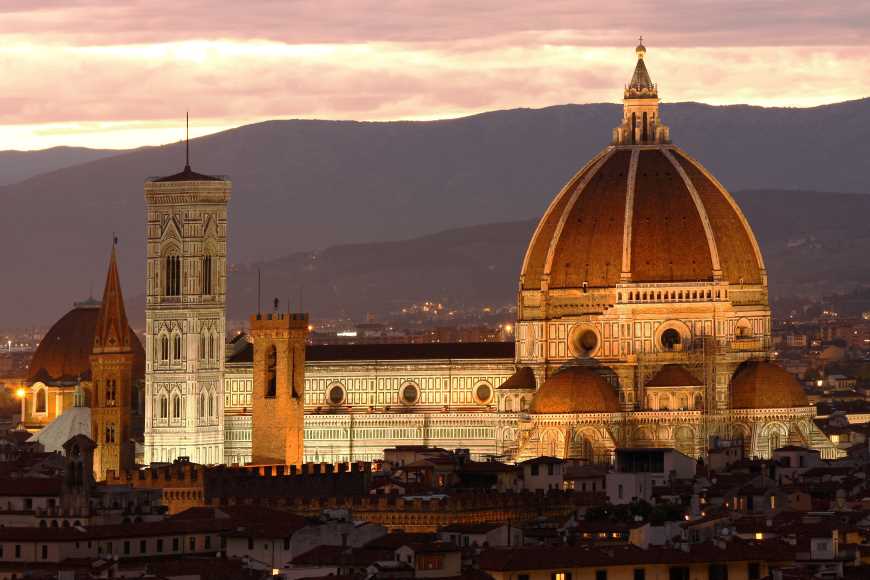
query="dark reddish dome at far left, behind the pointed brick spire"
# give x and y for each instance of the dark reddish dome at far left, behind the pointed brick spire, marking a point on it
(63, 354)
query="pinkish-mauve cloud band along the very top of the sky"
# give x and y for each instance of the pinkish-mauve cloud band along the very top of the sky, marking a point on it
(671, 22)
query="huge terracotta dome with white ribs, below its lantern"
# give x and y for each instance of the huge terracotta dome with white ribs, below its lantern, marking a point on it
(644, 213)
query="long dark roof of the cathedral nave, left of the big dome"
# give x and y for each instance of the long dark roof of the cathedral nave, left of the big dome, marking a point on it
(426, 351)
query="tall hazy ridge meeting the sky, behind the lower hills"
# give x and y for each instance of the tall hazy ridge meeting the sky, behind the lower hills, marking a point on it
(301, 186)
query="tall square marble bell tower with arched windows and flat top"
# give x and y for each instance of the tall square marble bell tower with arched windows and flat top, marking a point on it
(185, 316)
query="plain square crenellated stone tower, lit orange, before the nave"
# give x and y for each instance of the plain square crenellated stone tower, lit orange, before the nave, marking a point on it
(279, 384)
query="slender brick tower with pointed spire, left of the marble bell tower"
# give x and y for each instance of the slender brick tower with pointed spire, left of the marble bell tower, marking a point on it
(112, 376)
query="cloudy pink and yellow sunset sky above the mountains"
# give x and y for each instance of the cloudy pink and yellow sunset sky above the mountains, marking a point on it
(119, 74)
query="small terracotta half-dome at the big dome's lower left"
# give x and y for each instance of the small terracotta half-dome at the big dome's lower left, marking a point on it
(575, 390)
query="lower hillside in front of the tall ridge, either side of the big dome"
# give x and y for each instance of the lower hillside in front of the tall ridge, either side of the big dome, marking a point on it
(810, 253)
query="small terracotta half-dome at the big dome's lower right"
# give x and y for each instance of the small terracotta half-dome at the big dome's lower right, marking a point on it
(765, 385)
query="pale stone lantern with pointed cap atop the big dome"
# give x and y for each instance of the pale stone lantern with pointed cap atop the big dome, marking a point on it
(641, 124)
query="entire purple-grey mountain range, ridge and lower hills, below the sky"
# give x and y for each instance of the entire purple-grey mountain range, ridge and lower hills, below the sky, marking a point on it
(322, 188)
